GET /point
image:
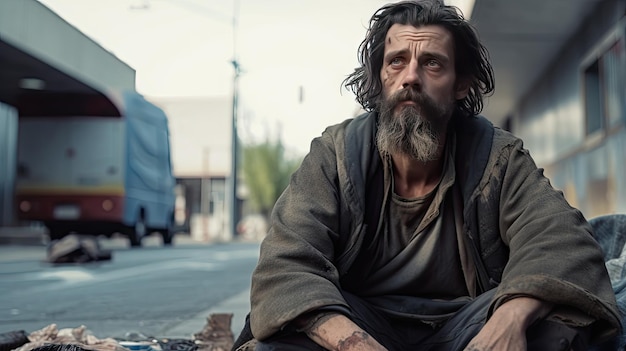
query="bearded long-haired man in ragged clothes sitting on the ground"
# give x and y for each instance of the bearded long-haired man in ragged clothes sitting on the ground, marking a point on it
(419, 225)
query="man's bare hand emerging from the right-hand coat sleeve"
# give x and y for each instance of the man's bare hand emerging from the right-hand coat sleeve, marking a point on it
(506, 329)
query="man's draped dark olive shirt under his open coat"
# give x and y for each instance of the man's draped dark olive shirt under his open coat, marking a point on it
(421, 250)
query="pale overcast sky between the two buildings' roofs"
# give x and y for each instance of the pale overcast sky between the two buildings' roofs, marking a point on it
(294, 55)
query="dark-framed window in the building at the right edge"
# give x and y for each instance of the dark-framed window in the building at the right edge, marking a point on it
(605, 86)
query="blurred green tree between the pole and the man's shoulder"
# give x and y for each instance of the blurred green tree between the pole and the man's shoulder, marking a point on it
(267, 170)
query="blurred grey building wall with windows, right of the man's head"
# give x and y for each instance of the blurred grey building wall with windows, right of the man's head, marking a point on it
(553, 119)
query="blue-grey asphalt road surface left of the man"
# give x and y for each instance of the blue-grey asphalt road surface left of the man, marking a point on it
(155, 290)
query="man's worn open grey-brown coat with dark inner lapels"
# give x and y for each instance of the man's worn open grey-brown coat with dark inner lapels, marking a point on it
(520, 235)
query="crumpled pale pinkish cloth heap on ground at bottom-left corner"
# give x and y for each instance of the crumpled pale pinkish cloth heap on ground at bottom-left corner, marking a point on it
(74, 336)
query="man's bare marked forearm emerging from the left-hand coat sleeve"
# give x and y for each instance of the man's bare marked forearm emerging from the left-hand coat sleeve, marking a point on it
(337, 332)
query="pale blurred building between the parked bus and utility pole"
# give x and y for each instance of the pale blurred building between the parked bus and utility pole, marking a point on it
(200, 138)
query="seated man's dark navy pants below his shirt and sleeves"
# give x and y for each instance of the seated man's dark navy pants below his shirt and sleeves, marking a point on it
(453, 335)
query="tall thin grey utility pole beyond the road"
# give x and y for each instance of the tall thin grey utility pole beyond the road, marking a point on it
(234, 205)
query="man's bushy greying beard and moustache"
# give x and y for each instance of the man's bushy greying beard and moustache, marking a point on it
(412, 132)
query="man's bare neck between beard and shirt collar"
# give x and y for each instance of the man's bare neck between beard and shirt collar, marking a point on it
(413, 178)
